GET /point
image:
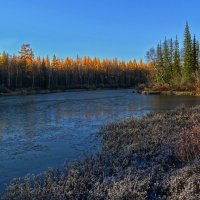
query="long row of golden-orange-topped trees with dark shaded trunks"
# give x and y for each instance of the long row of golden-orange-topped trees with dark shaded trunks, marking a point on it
(25, 71)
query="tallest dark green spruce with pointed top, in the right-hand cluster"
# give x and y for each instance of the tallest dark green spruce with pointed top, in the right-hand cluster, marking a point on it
(187, 65)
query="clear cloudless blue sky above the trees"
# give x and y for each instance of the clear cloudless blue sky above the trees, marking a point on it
(125, 29)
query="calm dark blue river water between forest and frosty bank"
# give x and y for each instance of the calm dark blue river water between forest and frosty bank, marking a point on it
(41, 131)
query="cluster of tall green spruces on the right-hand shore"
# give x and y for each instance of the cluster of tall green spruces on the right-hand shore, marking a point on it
(174, 65)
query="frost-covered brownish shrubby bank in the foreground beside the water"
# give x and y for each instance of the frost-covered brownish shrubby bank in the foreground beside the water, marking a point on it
(157, 157)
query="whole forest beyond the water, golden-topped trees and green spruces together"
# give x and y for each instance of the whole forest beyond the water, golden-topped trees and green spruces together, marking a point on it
(168, 66)
